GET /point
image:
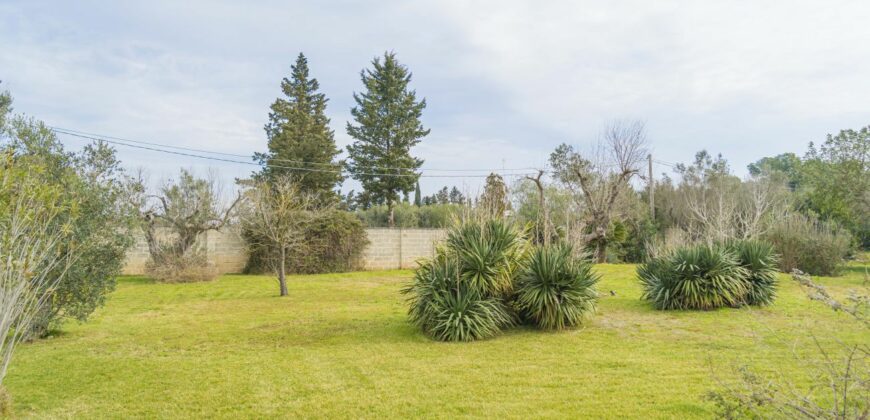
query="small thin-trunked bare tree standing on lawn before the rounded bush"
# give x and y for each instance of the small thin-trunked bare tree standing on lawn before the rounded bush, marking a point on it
(278, 214)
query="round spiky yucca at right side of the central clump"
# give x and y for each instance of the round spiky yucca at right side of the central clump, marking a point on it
(557, 290)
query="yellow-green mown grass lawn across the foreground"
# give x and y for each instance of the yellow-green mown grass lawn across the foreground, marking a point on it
(340, 346)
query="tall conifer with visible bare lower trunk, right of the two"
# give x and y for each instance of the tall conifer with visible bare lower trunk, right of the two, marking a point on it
(388, 124)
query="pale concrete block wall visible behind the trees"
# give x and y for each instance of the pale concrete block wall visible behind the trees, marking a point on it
(388, 249)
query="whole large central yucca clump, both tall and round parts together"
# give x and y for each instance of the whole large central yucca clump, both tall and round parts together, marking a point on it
(486, 277)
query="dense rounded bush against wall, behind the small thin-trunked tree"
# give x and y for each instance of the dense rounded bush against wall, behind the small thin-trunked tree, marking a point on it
(335, 243)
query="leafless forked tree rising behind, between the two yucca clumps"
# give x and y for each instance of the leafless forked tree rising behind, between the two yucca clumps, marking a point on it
(602, 177)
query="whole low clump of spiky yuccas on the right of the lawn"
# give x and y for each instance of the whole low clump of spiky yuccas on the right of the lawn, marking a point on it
(706, 276)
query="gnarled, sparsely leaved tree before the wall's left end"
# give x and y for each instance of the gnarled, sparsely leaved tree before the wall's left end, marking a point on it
(188, 208)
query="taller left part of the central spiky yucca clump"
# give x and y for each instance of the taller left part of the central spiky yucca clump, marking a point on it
(462, 293)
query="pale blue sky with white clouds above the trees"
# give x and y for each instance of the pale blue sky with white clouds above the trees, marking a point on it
(505, 81)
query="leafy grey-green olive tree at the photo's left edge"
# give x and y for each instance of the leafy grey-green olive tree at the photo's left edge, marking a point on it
(104, 219)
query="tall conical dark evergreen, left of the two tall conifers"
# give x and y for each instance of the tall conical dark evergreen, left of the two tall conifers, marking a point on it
(300, 137)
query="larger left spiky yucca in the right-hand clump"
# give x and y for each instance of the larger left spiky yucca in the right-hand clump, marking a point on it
(694, 277)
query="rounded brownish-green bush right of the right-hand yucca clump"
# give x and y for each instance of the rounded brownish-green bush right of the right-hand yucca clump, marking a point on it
(803, 243)
